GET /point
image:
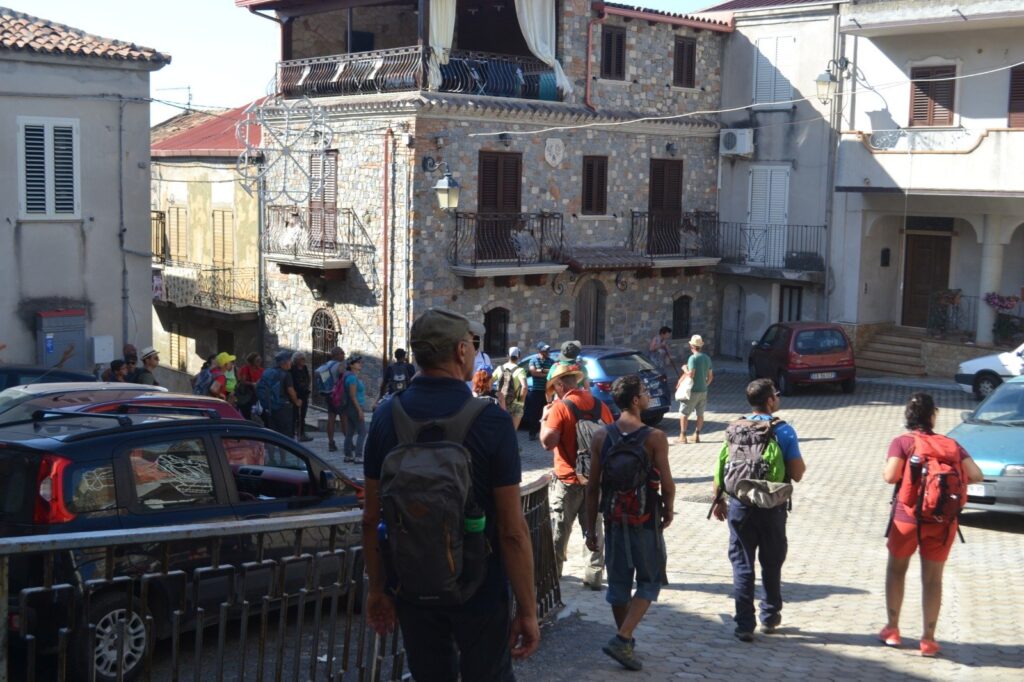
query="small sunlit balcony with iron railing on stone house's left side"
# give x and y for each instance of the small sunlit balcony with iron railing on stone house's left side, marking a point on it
(303, 240)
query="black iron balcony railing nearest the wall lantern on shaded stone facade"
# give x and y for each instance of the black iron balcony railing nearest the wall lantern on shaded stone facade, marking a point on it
(506, 239)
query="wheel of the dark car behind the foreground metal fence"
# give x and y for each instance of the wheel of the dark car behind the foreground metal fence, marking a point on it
(107, 612)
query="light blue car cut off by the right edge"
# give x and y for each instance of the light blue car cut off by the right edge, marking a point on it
(993, 435)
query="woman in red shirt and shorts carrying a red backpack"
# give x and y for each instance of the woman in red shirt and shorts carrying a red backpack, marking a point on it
(930, 474)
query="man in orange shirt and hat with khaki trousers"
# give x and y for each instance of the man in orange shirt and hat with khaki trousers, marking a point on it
(559, 434)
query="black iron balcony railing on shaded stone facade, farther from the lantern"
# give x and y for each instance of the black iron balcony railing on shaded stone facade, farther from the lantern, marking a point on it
(659, 235)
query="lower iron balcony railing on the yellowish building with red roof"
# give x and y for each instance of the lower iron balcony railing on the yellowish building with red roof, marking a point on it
(220, 288)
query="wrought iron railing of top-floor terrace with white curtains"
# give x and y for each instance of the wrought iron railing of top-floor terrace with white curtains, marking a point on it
(402, 70)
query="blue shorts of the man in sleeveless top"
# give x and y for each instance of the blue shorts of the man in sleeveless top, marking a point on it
(646, 562)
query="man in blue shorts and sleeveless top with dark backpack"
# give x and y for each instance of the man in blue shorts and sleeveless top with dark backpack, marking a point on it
(631, 484)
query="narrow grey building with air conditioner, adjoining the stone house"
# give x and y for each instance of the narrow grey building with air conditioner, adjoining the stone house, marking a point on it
(778, 150)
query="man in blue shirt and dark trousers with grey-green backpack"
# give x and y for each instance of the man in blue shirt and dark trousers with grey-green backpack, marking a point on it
(757, 466)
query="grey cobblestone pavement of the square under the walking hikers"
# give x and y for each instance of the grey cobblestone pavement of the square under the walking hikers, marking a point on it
(833, 580)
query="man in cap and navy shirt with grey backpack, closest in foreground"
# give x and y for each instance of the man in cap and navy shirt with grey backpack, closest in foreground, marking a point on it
(437, 461)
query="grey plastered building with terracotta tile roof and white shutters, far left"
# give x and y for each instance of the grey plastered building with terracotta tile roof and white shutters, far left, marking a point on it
(74, 191)
